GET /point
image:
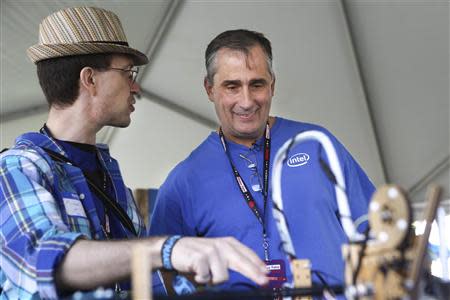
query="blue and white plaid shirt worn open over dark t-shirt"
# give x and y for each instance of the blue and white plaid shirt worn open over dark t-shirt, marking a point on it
(37, 218)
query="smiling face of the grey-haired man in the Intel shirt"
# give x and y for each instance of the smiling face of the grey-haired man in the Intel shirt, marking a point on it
(242, 93)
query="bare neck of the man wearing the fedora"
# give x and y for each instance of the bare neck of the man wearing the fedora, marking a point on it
(68, 124)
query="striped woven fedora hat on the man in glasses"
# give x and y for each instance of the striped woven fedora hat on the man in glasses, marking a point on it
(82, 30)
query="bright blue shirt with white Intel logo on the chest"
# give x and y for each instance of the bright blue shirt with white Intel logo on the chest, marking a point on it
(200, 197)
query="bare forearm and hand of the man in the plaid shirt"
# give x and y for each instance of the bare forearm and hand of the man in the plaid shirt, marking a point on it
(90, 264)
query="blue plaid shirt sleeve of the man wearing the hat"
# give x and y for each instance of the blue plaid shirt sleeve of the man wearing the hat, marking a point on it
(33, 235)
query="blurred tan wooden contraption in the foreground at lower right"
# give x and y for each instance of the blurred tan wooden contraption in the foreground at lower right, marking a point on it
(387, 267)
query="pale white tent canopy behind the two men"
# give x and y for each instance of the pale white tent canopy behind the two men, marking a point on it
(375, 73)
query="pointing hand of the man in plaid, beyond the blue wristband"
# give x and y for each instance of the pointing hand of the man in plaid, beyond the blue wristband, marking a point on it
(210, 258)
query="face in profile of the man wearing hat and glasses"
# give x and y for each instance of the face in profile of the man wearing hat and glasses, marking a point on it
(115, 98)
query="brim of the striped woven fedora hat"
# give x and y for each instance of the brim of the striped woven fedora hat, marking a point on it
(41, 52)
